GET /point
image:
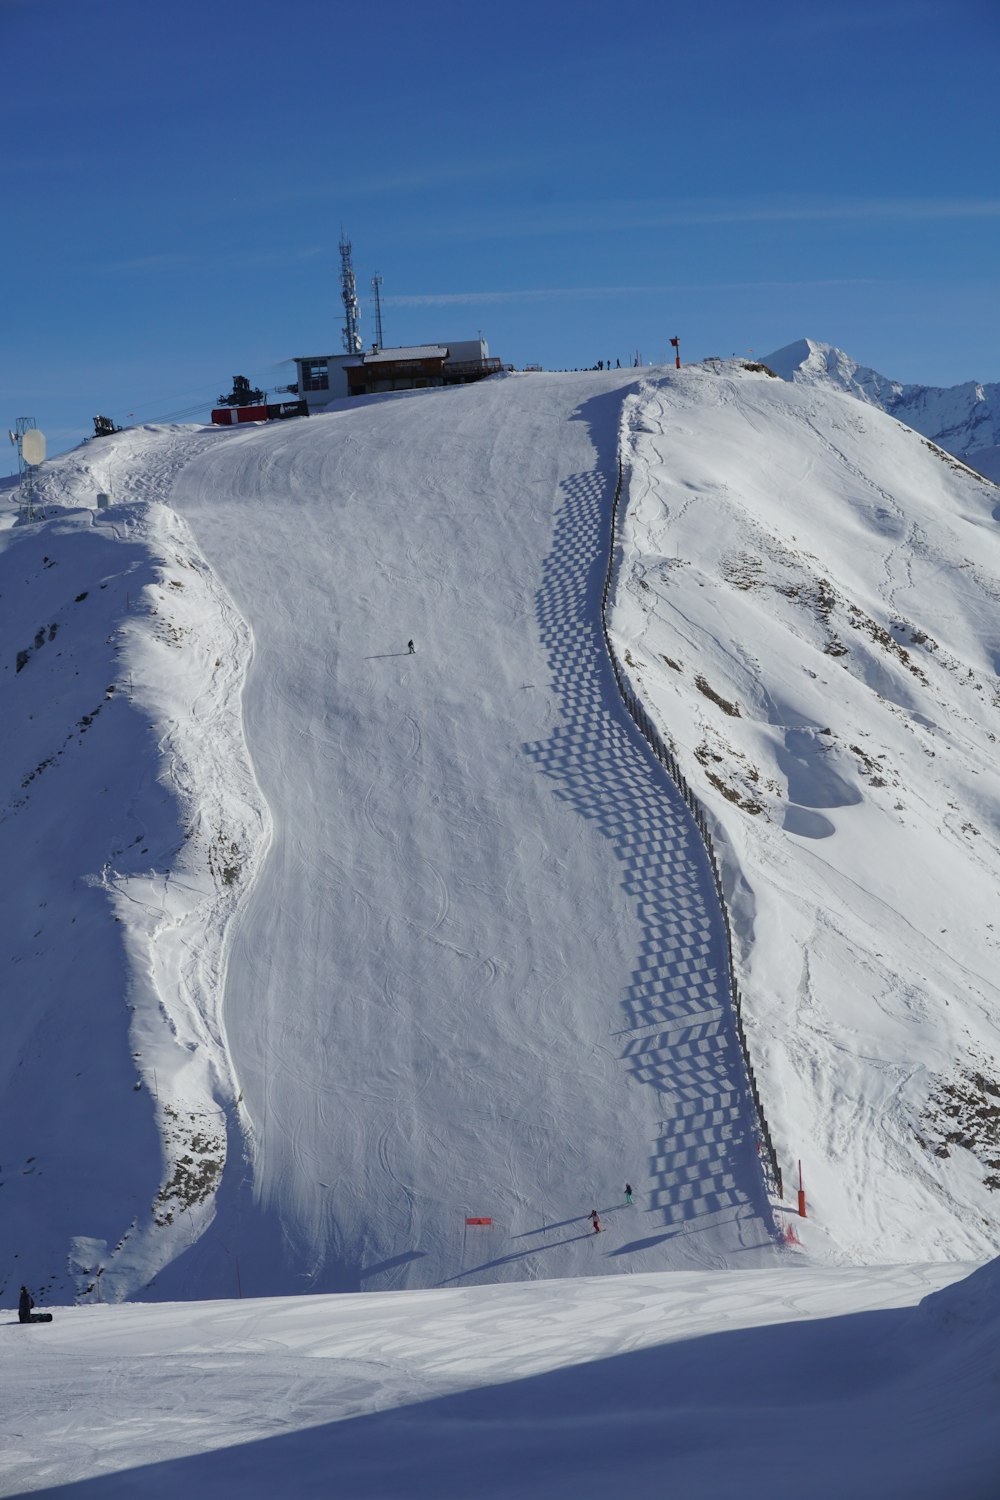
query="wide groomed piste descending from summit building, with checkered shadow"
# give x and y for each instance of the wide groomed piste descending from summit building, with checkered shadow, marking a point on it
(484, 970)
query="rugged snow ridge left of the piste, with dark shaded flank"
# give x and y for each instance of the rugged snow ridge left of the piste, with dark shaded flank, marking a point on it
(130, 826)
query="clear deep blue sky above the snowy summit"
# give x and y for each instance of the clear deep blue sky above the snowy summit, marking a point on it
(578, 181)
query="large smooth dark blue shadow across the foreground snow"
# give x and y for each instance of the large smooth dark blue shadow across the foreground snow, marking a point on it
(695, 1417)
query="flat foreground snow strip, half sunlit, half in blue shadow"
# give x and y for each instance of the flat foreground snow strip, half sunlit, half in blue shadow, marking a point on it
(716, 1384)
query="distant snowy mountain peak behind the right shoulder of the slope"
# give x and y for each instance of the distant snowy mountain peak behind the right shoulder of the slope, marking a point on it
(962, 419)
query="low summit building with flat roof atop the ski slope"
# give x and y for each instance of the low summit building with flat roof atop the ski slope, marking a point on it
(329, 377)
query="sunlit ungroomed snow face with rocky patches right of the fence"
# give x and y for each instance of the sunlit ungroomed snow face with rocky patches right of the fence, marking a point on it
(809, 599)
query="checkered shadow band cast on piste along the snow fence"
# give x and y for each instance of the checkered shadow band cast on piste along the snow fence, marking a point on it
(678, 1033)
